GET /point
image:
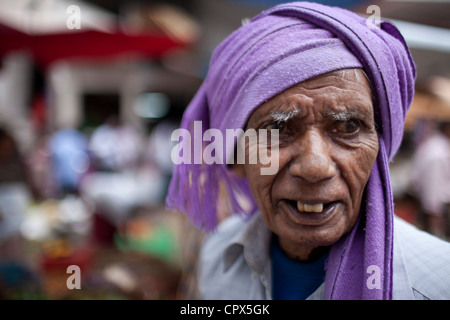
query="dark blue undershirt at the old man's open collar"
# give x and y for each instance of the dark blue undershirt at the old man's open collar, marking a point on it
(294, 280)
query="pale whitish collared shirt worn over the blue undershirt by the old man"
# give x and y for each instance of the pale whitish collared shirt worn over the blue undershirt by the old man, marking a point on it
(235, 263)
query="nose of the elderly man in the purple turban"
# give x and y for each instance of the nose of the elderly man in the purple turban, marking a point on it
(312, 160)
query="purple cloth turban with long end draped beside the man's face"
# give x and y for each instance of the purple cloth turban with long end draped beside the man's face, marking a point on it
(280, 47)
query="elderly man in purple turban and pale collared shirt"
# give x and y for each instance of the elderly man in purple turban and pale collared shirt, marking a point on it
(333, 91)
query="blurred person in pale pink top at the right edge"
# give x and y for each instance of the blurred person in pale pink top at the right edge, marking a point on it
(430, 180)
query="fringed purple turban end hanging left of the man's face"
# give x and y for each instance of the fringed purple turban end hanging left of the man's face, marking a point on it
(206, 193)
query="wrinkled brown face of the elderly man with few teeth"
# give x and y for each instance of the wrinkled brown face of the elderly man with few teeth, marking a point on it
(327, 146)
